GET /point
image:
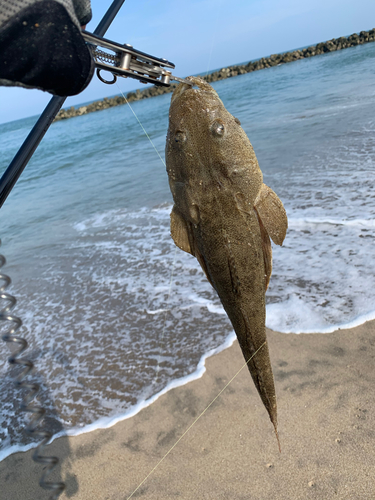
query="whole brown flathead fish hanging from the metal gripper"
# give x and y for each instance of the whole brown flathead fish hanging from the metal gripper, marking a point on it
(224, 215)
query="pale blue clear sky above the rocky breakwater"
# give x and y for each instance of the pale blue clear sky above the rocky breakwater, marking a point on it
(203, 35)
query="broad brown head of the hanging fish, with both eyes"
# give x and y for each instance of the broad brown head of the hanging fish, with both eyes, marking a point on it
(206, 145)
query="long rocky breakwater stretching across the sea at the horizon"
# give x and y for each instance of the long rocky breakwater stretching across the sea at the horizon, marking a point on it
(239, 69)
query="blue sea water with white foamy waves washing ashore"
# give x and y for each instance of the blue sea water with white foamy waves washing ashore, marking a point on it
(113, 312)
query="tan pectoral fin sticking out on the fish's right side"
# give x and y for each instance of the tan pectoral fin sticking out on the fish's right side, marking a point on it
(272, 213)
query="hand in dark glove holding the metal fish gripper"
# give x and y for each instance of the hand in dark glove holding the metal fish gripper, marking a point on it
(41, 45)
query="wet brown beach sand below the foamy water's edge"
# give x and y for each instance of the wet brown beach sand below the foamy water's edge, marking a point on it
(326, 399)
